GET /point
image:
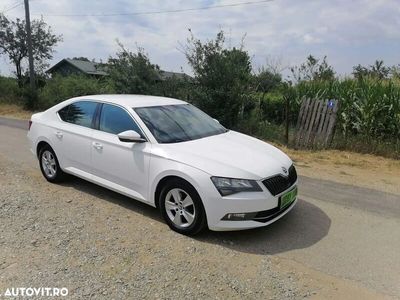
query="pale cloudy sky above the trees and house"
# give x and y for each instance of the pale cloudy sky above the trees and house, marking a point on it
(349, 32)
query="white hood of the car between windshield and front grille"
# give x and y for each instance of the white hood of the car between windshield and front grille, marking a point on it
(230, 154)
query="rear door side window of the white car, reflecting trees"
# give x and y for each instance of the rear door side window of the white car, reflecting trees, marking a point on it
(79, 113)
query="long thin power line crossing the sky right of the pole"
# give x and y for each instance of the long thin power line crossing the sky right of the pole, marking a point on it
(156, 12)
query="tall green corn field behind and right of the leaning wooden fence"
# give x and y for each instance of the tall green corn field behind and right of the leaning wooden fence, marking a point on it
(370, 108)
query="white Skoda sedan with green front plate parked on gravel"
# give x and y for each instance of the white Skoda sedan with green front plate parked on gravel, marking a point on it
(169, 154)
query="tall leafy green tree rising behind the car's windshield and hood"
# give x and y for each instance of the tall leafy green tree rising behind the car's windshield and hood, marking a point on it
(222, 77)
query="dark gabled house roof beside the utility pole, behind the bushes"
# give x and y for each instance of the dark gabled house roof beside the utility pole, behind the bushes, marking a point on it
(69, 66)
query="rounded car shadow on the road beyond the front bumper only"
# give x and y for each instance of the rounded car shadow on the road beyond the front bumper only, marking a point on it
(302, 227)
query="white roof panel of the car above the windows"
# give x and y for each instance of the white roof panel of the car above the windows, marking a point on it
(132, 100)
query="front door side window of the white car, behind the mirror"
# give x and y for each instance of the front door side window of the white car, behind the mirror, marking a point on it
(114, 119)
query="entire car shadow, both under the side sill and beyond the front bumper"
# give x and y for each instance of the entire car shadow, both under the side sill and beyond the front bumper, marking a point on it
(302, 227)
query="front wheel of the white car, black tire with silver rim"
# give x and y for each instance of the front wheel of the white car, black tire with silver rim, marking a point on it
(182, 208)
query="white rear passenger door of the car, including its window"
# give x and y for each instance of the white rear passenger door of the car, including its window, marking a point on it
(72, 138)
